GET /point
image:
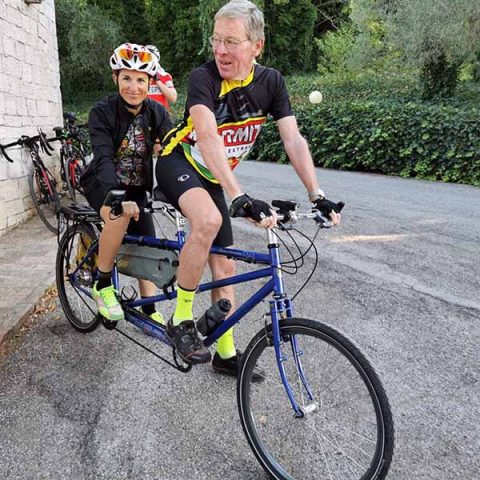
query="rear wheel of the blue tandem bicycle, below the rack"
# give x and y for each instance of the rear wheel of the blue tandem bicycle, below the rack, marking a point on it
(75, 276)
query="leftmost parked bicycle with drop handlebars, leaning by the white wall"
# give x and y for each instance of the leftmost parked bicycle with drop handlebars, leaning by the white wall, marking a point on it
(41, 182)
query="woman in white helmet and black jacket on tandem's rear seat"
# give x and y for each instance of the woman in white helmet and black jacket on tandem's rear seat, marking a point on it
(125, 131)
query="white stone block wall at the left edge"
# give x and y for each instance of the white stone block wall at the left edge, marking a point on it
(29, 96)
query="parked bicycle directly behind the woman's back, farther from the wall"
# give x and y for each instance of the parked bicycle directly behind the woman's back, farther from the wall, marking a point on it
(72, 154)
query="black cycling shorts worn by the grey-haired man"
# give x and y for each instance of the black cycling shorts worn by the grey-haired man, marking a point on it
(175, 176)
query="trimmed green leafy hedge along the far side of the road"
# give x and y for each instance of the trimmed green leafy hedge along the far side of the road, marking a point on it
(411, 139)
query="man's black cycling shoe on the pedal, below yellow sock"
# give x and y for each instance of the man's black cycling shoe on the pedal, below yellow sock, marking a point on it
(187, 342)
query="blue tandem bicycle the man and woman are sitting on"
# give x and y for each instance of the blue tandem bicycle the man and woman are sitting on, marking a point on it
(321, 410)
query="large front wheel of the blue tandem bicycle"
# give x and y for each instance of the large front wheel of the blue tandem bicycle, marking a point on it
(345, 430)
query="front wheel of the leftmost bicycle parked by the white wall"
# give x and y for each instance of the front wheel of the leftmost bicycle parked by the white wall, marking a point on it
(43, 191)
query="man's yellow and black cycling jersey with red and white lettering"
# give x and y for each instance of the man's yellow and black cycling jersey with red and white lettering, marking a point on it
(240, 108)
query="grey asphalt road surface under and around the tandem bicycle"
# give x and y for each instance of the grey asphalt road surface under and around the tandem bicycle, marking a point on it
(400, 277)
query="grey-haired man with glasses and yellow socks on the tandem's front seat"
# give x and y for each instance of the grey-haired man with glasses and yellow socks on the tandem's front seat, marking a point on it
(228, 100)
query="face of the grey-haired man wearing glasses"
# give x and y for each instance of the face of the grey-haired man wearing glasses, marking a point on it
(233, 51)
